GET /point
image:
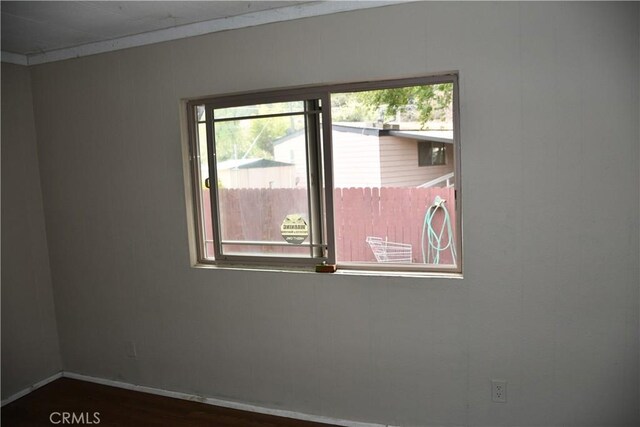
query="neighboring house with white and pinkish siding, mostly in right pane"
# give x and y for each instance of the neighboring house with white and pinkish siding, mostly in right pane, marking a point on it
(375, 157)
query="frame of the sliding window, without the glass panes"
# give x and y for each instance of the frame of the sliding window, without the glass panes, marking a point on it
(322, 233)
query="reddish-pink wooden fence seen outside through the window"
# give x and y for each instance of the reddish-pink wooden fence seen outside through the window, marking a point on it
(392, 213)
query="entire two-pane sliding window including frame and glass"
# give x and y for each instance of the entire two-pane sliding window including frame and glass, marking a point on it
(329, 175)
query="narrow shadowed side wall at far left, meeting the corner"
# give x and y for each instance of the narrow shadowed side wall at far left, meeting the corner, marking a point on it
(30, 350)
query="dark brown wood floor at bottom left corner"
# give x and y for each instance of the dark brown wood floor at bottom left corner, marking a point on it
(124, 408)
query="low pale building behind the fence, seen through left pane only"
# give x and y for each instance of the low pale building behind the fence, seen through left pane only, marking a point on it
(256, 173)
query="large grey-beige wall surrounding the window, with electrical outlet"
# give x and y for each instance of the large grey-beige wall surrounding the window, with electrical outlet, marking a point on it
(549, 301)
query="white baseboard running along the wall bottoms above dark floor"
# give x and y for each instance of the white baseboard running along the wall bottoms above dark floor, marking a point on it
(194, 398)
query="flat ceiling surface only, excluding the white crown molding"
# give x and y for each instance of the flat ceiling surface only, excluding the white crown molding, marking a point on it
(35, 27)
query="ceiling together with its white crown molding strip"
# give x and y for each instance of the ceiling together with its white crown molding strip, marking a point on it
(44, 31)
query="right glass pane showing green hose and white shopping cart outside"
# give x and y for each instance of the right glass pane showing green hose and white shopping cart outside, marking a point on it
(389, 209)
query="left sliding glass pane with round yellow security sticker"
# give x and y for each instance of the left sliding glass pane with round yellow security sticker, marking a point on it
(262, 186)
